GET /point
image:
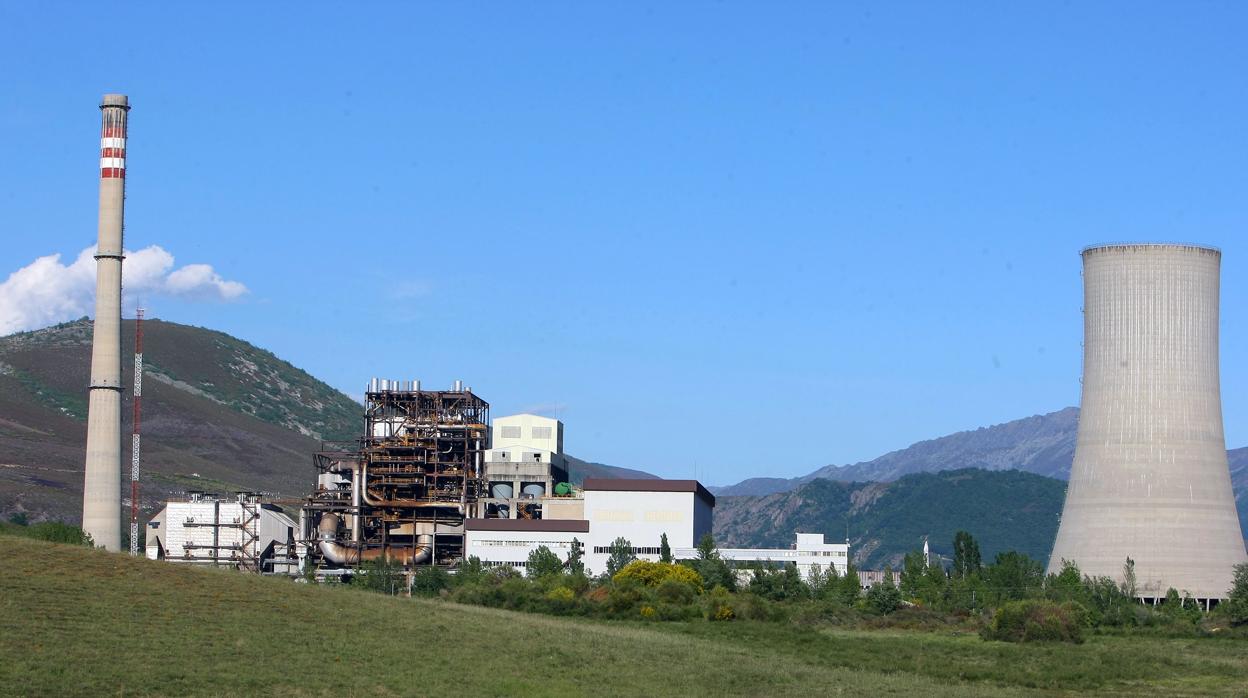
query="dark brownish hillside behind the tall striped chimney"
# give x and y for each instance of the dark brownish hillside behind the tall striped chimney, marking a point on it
(219, 414)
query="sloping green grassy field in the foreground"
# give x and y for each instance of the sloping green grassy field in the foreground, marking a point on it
(79, 622)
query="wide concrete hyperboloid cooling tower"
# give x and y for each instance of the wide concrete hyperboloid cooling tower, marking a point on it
(1150, 479)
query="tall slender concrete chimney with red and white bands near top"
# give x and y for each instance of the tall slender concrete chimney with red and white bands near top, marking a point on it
(102, 493)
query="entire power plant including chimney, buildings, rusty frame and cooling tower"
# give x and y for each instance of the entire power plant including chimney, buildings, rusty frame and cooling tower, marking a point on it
(430, 481)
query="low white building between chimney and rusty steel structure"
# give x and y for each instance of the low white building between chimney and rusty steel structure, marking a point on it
(244, 533)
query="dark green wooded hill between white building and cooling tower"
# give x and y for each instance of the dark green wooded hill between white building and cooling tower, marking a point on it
(1005, 510)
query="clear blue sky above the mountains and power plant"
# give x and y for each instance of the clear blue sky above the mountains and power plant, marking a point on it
(743, 239)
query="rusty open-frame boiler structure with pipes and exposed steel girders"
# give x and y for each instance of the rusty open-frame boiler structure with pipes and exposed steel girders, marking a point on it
(404, 490)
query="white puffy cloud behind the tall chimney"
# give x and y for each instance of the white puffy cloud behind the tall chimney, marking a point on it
(48, 292)
